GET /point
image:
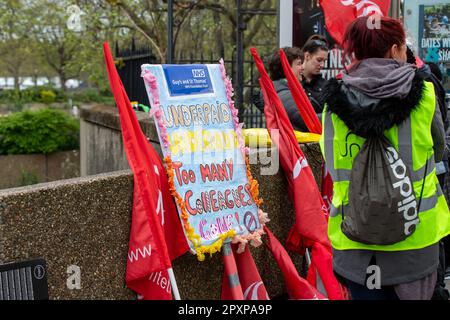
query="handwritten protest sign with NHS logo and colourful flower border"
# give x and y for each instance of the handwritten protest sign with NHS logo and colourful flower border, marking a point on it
(205, 155)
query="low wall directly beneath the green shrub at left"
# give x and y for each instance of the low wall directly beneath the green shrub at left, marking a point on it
(18, 170)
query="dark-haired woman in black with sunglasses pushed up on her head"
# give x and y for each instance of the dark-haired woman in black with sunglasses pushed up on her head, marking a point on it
(315, 53)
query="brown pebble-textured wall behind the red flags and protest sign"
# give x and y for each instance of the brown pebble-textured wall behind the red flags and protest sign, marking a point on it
(86, 222)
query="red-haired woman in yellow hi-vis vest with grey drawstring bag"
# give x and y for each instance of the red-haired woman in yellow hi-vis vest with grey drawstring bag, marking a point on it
(382, 94)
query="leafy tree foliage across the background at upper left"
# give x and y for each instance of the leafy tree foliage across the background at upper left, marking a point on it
(36, 41)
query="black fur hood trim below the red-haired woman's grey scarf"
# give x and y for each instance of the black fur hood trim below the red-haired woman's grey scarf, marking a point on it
(367, 116)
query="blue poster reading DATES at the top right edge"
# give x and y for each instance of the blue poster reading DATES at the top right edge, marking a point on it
(434, 38)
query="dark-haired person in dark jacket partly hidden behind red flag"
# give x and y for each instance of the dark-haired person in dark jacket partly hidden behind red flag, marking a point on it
(295, 59)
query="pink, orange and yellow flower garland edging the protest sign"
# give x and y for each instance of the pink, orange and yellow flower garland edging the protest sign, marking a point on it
(254, 238)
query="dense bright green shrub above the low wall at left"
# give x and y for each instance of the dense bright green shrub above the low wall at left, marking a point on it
(42, 131)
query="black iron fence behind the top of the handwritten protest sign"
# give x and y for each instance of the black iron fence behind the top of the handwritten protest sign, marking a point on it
(129, 61)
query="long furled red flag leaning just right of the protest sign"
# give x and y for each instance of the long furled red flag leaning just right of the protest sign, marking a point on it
(311, 223)
